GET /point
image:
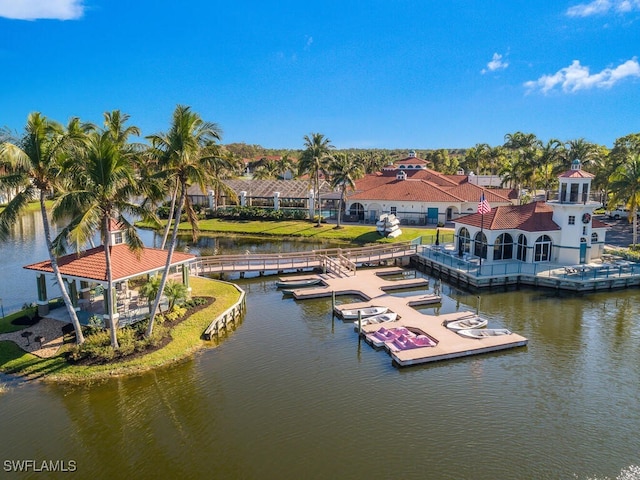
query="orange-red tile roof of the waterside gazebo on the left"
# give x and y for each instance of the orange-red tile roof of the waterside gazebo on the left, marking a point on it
(125, 263)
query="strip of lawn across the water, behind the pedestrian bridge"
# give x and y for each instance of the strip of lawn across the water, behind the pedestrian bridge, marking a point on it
(358, 234)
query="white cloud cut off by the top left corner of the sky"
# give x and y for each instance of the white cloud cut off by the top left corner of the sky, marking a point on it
(41, 9)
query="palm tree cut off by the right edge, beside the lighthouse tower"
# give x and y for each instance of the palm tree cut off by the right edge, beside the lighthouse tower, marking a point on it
(625, 187)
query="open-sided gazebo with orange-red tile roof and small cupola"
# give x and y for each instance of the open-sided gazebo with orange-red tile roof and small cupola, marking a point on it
(85, 277)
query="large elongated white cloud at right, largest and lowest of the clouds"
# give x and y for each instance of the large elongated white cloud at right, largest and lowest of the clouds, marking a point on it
(577, 77)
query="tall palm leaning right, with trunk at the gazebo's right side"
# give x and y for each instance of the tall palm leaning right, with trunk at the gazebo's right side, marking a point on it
(187, 154)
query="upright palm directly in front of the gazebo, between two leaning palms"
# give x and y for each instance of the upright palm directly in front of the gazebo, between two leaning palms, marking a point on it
(101, 193)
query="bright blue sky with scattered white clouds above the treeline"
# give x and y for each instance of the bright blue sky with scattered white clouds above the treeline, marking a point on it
(367, 74)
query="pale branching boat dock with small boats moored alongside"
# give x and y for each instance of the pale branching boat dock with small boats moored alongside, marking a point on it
(371, 285)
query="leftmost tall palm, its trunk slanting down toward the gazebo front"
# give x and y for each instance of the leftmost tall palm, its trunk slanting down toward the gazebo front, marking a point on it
(35, 169)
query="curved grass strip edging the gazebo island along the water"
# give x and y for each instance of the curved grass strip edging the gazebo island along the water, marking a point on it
(185, 340)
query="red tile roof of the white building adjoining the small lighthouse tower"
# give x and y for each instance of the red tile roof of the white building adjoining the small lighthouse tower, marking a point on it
(532, 217)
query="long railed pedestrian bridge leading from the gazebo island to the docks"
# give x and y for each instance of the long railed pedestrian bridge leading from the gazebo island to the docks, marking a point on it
(339, 261)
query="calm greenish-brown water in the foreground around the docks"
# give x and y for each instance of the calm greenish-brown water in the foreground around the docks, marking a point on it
(293, 393)
